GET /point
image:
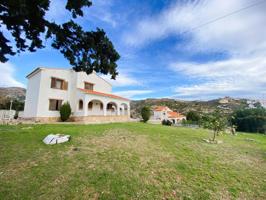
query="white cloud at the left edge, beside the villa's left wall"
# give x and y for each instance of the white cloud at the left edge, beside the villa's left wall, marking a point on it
(7, 71)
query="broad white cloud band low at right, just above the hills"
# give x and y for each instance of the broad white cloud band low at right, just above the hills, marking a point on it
(233, 77)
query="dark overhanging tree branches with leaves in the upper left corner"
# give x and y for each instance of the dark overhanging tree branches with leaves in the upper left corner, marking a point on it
(25, 21)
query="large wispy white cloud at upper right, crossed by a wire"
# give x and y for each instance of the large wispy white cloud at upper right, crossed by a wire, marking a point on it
(235, 33)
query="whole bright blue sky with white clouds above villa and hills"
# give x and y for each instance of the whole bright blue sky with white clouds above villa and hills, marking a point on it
(163, 54)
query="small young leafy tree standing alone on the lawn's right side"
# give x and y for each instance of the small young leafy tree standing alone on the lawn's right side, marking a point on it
(215, 121)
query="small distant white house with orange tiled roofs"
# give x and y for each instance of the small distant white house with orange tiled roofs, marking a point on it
(164, 113)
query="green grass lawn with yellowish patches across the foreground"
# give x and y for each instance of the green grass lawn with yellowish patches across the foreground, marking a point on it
(130, 161)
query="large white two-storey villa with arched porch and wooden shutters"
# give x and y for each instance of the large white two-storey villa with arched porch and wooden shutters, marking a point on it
(89, 96)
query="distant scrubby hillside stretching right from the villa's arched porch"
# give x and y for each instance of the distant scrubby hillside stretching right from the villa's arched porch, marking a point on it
(226, 104)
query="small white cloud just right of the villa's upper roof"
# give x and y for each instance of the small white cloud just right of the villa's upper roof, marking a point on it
(122, 80)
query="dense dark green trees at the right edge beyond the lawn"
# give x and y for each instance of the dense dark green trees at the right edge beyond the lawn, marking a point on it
(250, 120)
